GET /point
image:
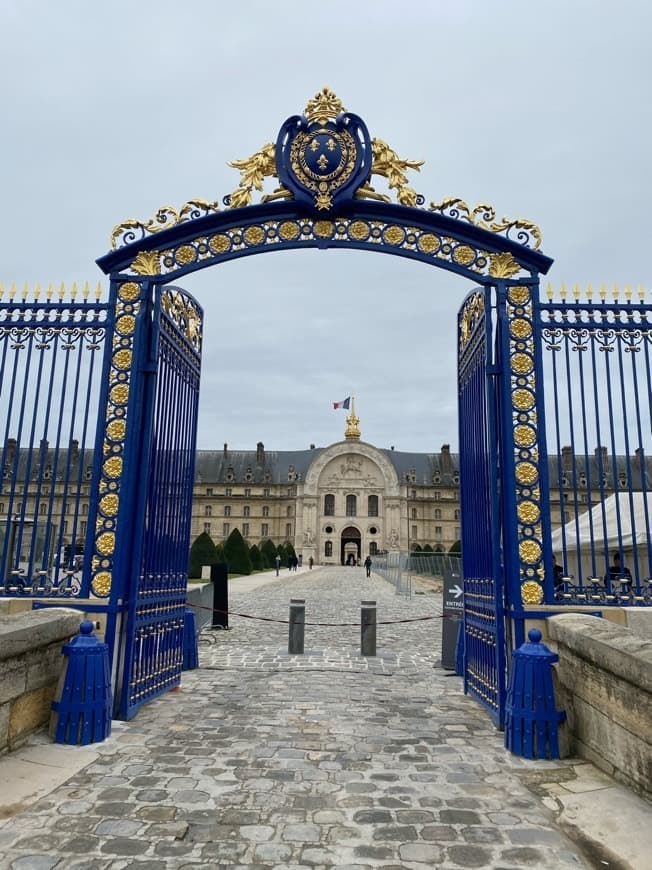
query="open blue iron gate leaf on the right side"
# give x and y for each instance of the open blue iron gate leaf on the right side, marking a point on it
(484, 629)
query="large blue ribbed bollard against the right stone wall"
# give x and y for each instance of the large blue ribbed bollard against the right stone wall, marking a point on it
(531, 717)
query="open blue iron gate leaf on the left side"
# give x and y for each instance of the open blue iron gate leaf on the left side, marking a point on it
(153, 642)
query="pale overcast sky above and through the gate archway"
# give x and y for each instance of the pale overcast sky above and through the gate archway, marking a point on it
(110, 110)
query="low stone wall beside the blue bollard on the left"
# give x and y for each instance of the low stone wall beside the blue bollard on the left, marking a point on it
(30, 664)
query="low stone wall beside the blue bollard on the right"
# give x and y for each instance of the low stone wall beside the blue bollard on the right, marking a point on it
(604, 682)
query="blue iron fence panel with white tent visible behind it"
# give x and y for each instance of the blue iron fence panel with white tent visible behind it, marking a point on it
(596, 359)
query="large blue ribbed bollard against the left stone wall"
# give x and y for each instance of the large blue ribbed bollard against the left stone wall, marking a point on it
(81, 711)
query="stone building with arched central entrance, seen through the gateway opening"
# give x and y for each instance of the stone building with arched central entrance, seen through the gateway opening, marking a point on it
(332, 503)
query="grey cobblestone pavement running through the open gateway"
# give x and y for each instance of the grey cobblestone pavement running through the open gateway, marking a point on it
(326, 760)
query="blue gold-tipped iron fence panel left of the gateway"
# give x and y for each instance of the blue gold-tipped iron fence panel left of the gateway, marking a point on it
(51, 360)
